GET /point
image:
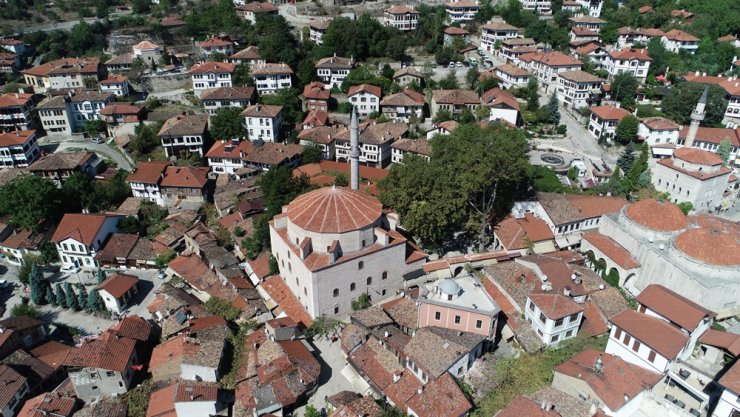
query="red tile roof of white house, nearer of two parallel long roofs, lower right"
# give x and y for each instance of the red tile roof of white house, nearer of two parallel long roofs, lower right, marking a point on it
(653, 332)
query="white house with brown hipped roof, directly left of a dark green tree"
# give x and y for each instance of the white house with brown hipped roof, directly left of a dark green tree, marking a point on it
(184, 135)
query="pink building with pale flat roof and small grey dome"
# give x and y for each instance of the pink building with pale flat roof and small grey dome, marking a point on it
(458, 304)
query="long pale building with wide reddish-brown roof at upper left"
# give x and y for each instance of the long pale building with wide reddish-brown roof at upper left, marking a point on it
(63, 74)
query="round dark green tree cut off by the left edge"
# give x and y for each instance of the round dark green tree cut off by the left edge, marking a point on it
(29, 200)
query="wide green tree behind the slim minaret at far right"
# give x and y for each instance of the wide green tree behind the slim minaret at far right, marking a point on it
(682, 98)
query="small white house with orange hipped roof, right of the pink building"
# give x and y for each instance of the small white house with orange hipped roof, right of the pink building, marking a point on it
(554, 317)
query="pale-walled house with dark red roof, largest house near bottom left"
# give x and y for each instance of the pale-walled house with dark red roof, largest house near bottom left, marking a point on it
(102, 366)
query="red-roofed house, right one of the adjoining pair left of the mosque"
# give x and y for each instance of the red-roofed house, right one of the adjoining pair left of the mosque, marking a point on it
(184, 184)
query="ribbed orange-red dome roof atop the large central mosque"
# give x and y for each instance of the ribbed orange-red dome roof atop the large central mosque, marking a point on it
(334, 210)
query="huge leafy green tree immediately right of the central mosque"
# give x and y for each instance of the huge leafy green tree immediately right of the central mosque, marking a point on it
(468, 184)
